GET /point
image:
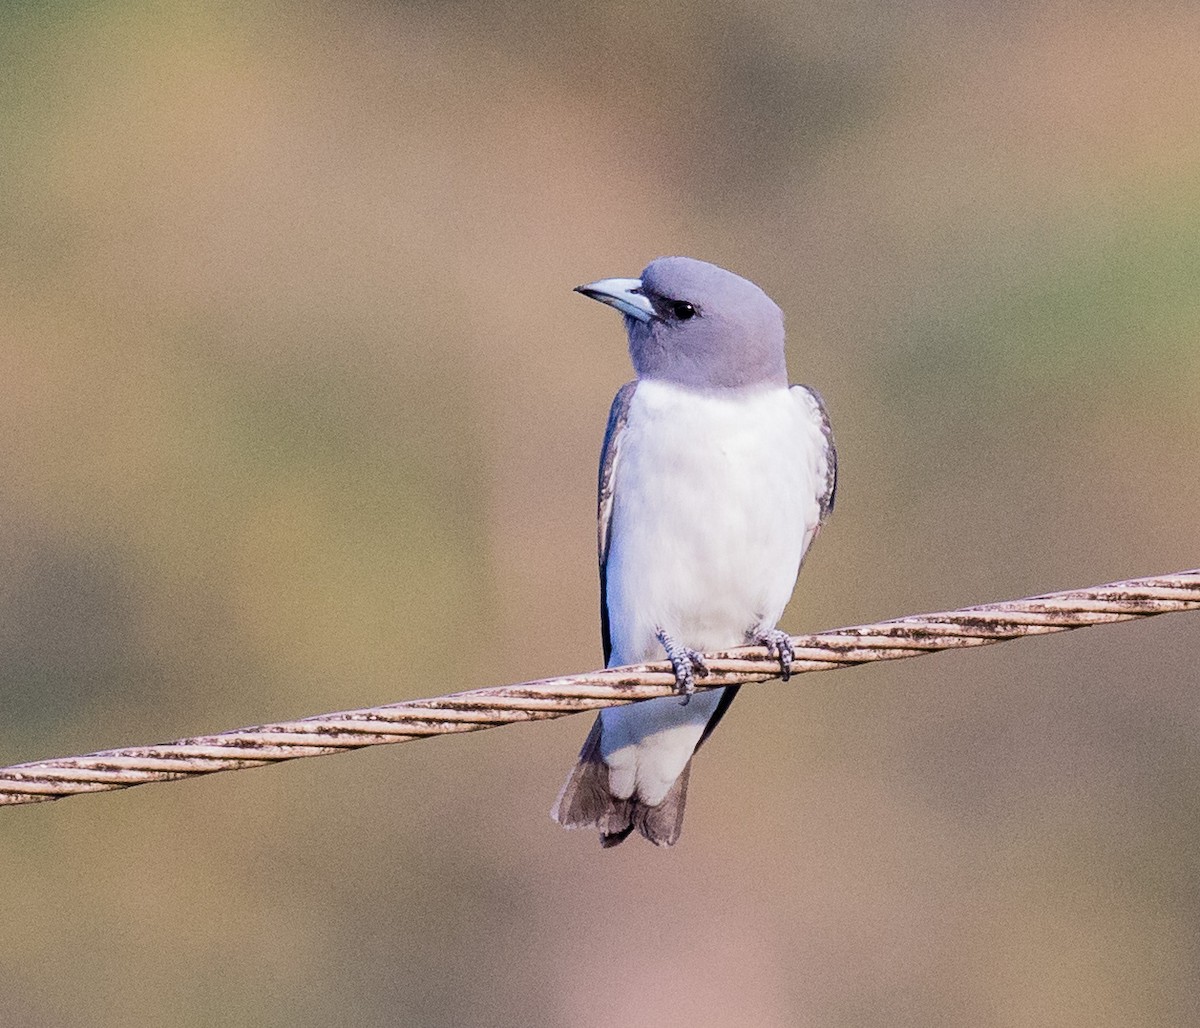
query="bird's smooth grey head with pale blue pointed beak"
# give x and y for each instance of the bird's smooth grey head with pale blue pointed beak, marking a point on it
(698, 326)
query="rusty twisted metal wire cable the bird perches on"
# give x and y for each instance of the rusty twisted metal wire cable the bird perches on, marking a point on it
(556, 698)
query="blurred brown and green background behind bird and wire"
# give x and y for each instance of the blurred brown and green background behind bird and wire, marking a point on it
(298, 413)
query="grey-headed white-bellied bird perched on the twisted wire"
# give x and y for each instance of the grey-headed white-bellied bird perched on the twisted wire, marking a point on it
(716, 477)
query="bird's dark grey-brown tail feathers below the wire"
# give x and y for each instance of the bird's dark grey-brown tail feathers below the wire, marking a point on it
(586, 802)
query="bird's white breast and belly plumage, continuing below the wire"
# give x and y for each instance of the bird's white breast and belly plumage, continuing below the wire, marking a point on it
(716, 502)
